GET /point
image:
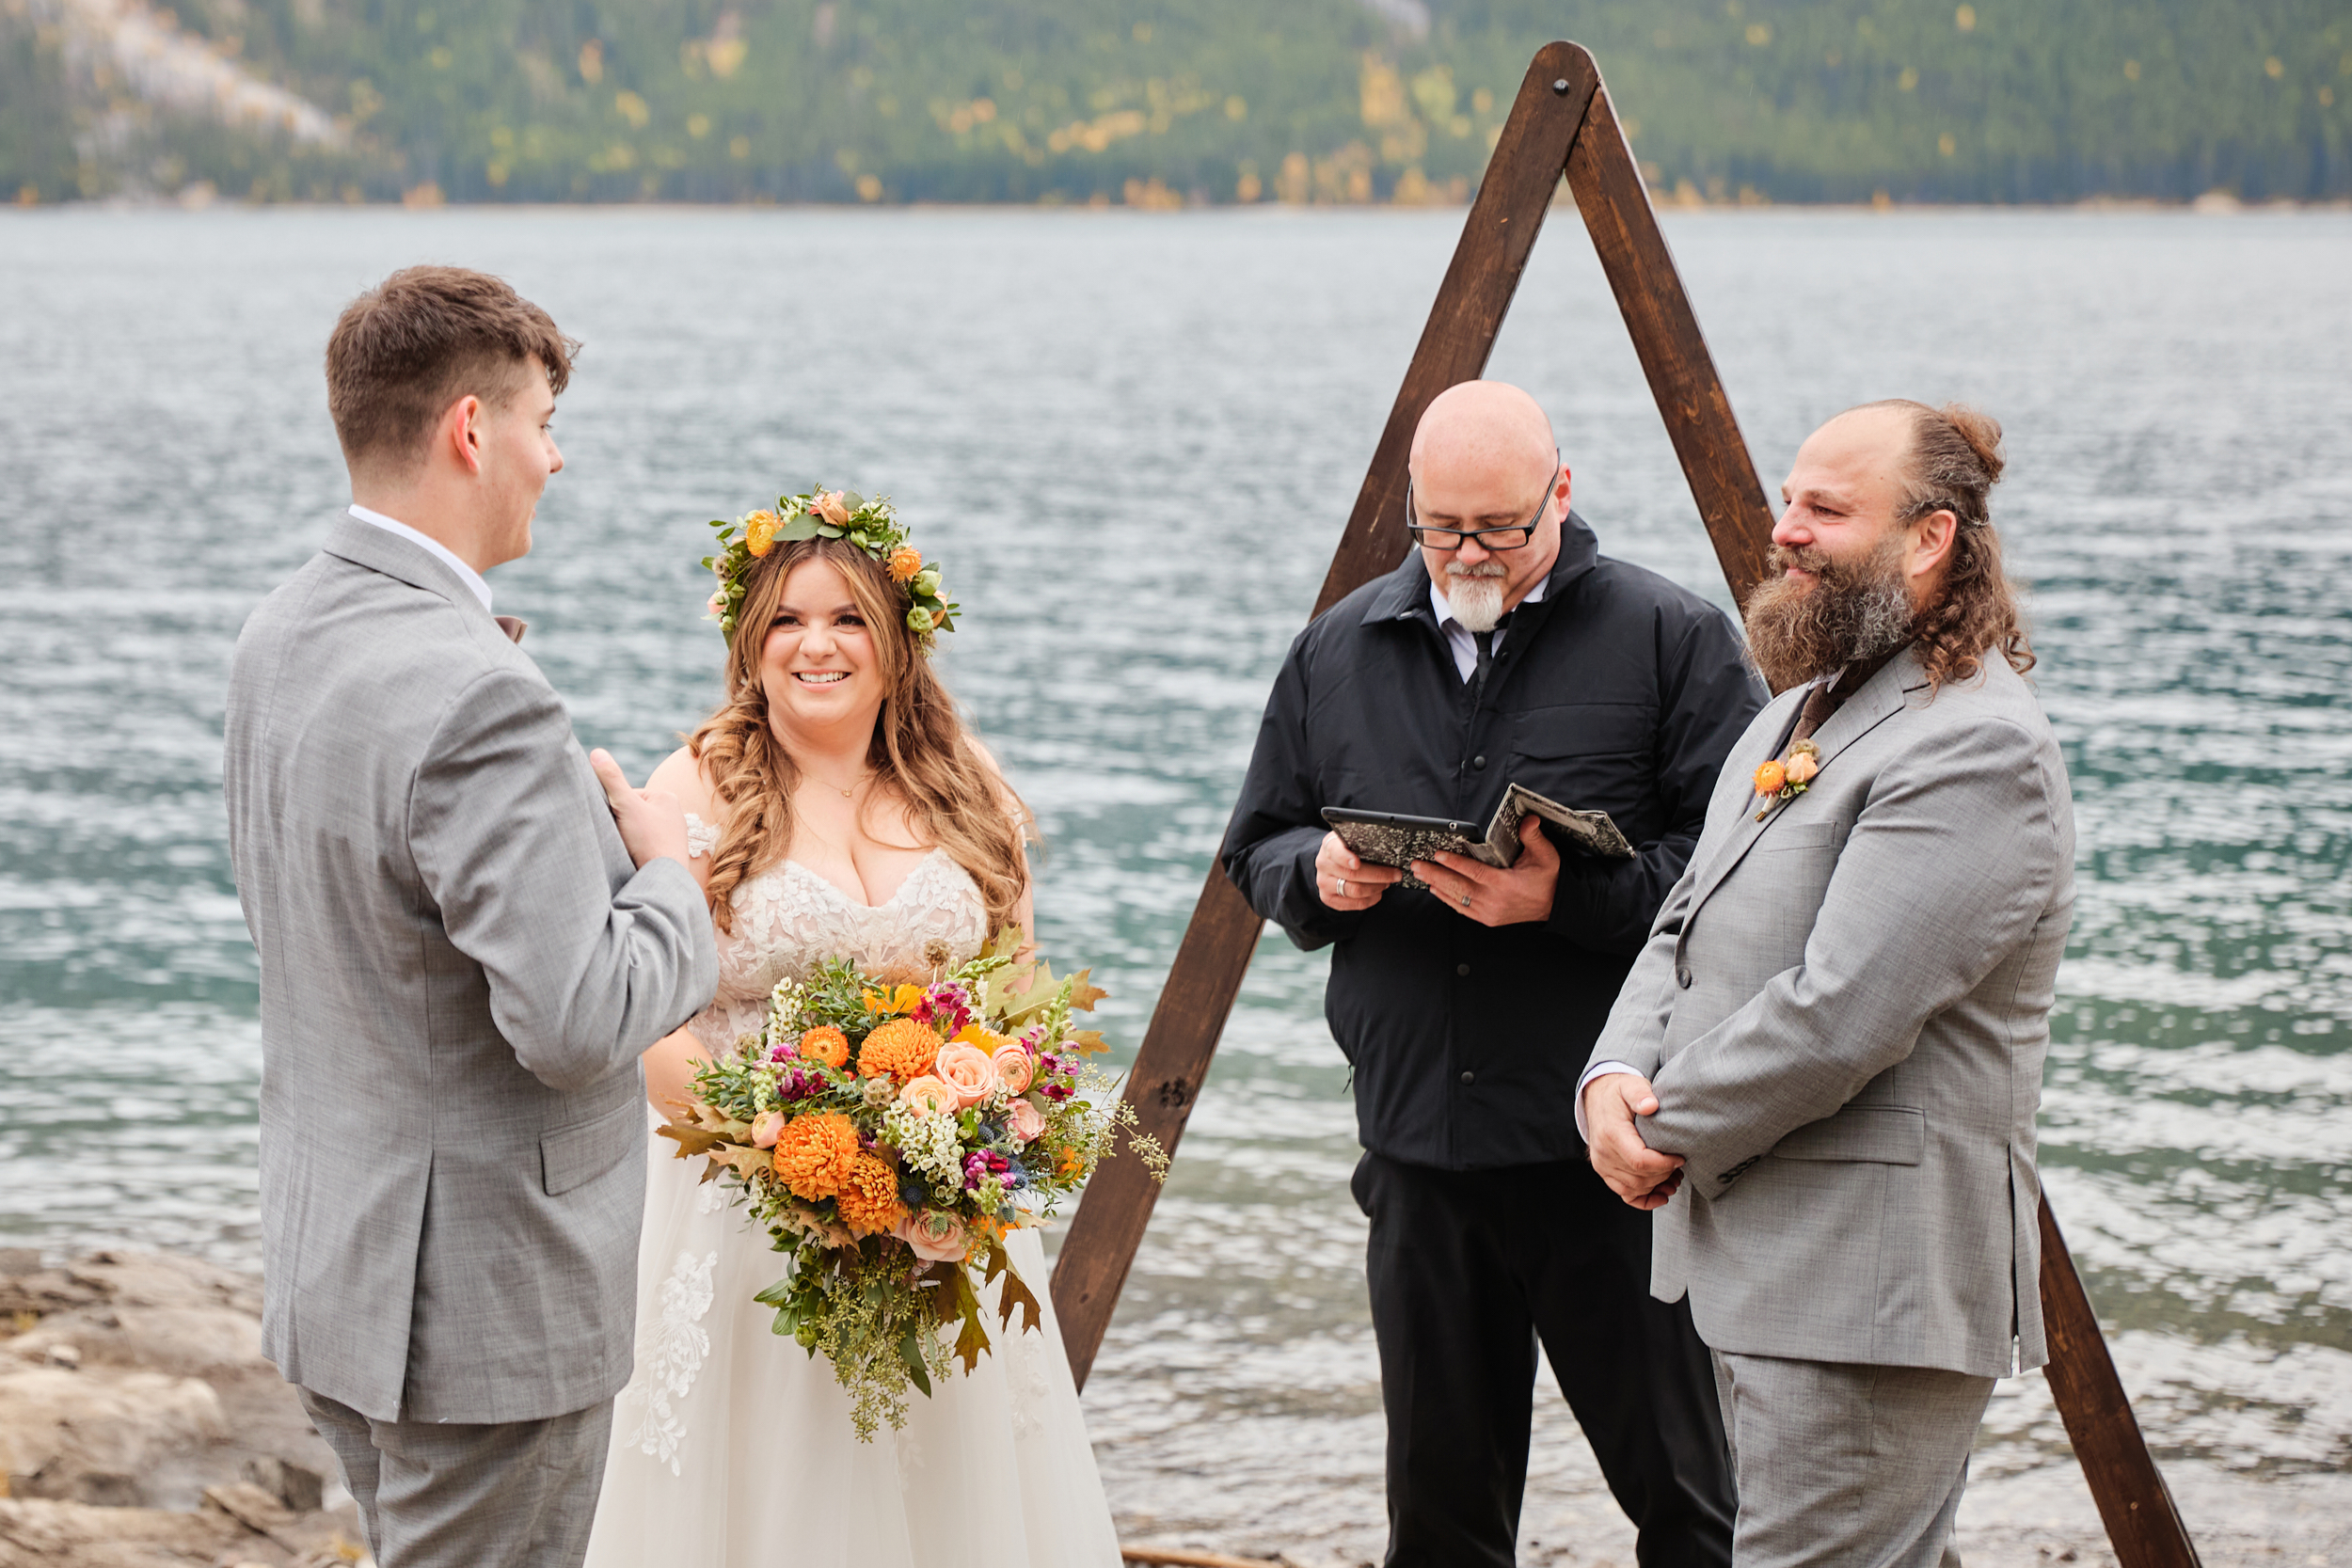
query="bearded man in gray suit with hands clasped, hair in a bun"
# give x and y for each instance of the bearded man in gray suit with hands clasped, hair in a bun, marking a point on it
(1826, 1064)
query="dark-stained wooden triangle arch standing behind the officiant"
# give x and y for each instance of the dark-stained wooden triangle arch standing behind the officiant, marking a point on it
(1563, 123)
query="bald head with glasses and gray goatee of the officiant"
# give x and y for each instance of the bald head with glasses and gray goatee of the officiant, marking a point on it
(1485, 460)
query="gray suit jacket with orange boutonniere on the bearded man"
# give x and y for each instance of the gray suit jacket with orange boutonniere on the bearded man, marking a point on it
(1845, 1012)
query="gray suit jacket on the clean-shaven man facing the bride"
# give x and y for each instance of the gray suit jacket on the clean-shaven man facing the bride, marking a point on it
(460, 970)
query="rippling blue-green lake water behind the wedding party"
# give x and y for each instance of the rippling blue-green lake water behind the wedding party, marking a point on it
(1135, 441)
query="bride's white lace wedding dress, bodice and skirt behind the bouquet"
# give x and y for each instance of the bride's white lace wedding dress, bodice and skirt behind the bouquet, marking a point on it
(730, 1447)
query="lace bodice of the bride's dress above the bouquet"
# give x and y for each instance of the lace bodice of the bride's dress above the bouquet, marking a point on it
(789, 920)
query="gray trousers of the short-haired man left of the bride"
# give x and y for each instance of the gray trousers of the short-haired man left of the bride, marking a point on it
(472, 1496)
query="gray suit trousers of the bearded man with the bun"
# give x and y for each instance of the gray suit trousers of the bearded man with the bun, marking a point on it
(1847, 1466)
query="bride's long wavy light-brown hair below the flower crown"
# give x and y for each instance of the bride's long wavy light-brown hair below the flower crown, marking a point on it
(921, 746)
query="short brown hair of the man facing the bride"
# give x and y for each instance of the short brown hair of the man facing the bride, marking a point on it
(422, 340)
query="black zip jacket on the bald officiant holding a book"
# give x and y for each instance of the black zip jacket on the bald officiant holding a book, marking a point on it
(1615, 692)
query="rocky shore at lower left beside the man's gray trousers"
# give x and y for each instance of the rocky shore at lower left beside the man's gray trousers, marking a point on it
(142, 1426)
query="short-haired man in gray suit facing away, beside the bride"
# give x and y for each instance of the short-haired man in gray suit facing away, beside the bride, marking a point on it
(467, 934)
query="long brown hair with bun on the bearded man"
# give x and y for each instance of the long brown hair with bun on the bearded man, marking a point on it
(1956, 460)
